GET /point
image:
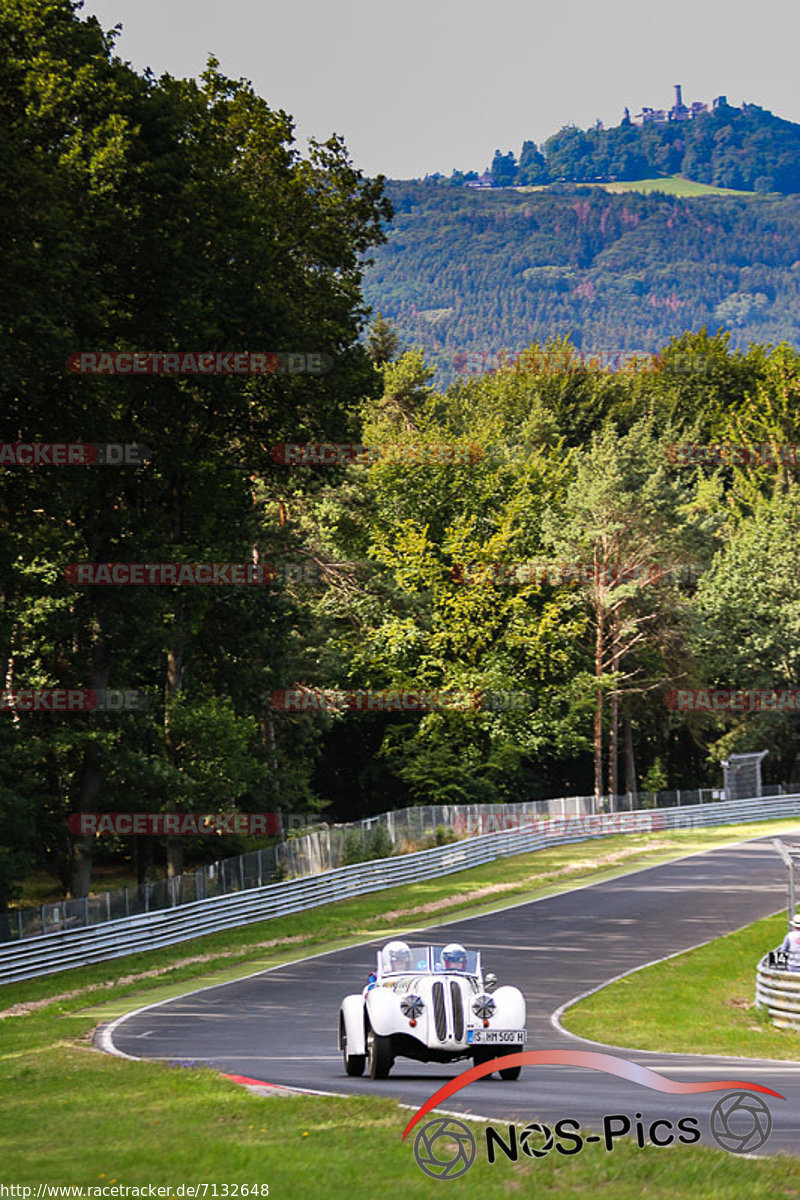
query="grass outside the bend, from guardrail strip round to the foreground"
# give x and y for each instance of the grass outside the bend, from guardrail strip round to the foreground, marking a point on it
(70, 1115)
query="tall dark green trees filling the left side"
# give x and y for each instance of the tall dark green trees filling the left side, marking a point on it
(160, 214)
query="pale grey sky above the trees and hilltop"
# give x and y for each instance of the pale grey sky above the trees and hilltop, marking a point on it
(424, 86)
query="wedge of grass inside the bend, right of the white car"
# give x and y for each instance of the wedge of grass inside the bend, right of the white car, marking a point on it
(700, 1003)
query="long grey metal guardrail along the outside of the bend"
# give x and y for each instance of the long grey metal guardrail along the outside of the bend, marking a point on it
(50, 953)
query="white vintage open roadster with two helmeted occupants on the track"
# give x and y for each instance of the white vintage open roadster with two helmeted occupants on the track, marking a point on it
(432, 1004)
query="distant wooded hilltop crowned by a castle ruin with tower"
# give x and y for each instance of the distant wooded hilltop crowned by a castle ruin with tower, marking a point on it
(744, 147)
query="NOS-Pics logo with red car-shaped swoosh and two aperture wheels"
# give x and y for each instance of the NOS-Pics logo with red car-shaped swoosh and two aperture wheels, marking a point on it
(446, 1148)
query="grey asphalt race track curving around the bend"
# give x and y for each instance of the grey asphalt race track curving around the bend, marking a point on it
(281, 1027)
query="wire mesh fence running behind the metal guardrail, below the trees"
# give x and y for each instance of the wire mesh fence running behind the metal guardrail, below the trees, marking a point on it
(329, 848)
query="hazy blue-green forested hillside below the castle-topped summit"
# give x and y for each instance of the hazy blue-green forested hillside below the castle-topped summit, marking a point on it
(477, 272)
